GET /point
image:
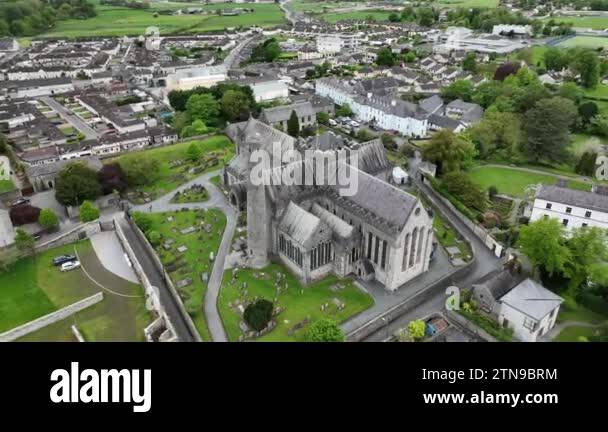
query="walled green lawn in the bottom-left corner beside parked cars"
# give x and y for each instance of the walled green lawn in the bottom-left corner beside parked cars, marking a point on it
(32, 287)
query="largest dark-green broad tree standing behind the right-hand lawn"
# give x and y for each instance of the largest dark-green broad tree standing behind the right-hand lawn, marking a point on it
(547, 129)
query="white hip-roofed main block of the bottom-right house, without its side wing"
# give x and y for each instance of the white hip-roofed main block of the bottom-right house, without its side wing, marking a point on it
(529, 309)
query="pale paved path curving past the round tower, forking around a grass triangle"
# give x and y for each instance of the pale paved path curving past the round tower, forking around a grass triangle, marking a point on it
(216, 200)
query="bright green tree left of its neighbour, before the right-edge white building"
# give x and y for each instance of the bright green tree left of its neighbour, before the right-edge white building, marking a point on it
(542, 241)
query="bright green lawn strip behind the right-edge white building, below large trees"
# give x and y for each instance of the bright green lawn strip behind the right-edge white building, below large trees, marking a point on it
(512, 182)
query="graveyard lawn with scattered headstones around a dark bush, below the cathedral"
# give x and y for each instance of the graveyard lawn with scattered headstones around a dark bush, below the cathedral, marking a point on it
(295, 308)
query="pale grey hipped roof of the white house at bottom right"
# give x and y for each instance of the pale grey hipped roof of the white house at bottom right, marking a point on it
(532, 299)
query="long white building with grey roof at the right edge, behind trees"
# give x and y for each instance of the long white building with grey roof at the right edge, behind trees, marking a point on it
(573, 208)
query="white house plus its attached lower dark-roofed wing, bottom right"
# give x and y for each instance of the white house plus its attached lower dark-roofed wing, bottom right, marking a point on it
(518, 302)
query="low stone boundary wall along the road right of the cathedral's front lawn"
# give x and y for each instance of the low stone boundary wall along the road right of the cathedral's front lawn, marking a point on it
(408, 304)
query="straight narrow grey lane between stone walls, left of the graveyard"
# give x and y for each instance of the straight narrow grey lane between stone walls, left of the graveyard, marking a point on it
(169, 302)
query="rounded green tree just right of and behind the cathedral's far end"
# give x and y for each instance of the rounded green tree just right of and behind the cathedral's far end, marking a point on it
(449, 151)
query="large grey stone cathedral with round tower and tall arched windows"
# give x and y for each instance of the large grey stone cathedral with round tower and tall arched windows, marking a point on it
(379, 232)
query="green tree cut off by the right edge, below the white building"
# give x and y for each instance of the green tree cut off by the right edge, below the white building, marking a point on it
(588, 249)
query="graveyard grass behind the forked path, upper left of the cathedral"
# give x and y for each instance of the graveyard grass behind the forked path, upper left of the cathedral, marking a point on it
(216, 151)
